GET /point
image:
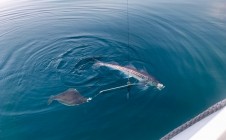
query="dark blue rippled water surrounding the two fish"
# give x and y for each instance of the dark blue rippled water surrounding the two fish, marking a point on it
(42, 43)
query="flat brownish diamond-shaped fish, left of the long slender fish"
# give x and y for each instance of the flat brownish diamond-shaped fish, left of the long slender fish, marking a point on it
(70, 97)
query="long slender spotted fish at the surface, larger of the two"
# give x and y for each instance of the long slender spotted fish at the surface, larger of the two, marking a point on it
(131, 72)
